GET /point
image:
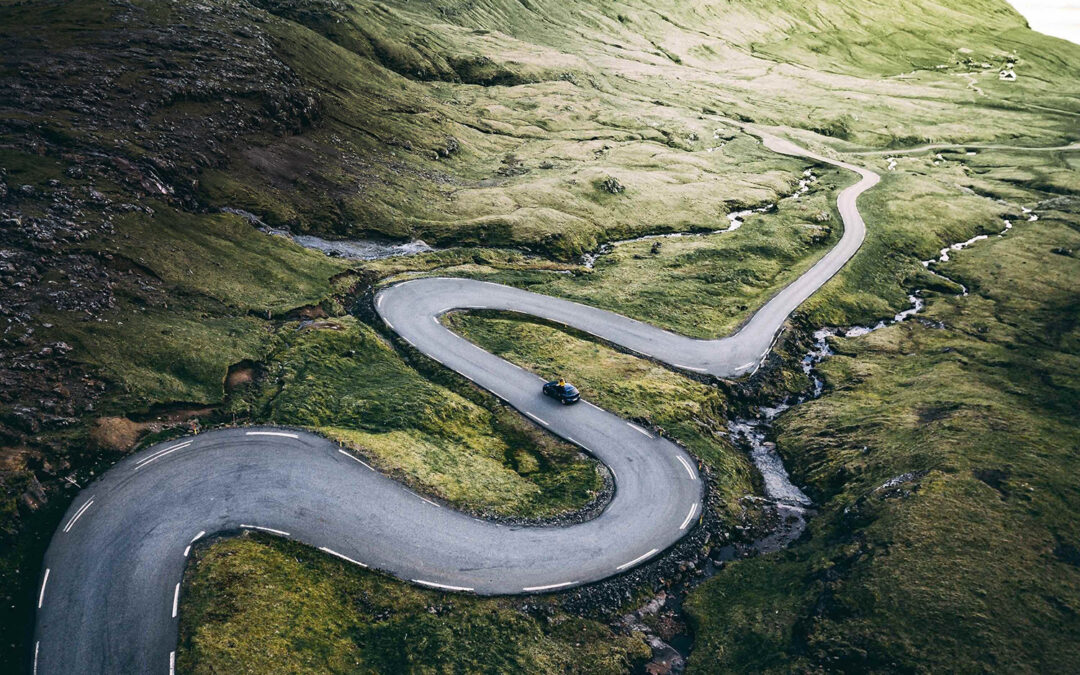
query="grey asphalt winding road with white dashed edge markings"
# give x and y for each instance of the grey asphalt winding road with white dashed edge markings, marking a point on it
(112, 579)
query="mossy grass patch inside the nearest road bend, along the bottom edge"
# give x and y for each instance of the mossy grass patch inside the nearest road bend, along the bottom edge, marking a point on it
(258, 605)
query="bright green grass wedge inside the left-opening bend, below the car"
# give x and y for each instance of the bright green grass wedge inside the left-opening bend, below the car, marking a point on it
(347, 383)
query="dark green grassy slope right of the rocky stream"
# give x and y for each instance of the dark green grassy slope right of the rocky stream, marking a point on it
(962, 570)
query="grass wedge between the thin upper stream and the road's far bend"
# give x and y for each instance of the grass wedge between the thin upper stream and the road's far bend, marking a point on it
(703, 287)
